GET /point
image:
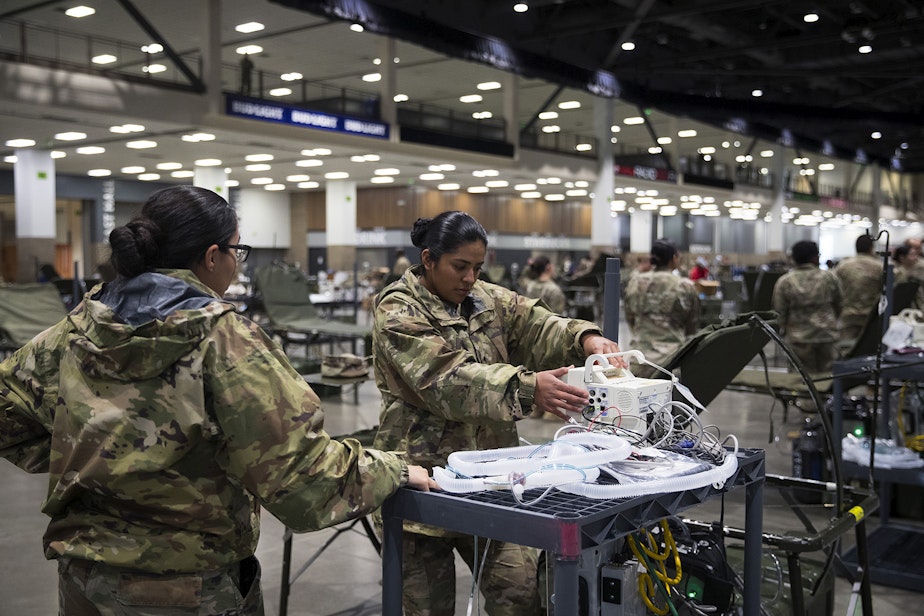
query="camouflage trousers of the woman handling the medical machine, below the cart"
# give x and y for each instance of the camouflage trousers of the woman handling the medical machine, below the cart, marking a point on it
(508, 581)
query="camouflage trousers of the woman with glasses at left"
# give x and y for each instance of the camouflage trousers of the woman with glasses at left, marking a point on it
(86, 588)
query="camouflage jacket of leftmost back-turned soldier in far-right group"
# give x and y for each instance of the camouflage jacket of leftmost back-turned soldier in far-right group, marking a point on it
(808, 300)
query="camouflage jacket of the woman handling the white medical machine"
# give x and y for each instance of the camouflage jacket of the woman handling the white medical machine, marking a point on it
(451, 382)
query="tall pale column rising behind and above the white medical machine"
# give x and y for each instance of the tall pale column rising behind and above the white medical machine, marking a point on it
(604, 227)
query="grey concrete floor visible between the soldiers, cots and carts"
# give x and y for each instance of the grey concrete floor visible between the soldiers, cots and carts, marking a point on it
(346, 579)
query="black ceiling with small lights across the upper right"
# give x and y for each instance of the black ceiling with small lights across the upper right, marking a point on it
(700, 59)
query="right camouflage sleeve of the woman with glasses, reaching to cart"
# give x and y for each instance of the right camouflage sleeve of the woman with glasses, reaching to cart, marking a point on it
(271, 421)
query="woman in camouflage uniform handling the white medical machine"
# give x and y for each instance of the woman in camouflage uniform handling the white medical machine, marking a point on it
(459, 361)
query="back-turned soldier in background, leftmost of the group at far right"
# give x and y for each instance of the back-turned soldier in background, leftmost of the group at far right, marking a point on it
(808, 300)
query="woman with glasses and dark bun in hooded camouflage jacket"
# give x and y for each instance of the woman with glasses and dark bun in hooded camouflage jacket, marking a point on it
(165, 420)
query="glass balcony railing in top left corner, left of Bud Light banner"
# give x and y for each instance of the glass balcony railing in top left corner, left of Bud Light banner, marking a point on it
(35, 44)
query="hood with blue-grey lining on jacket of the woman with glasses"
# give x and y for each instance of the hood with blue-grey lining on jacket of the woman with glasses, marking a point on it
(137, 328)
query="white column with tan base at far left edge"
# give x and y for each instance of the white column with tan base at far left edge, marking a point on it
(34, 184)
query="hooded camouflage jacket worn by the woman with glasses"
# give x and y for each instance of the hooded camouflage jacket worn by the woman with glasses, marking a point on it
(165, 420)
